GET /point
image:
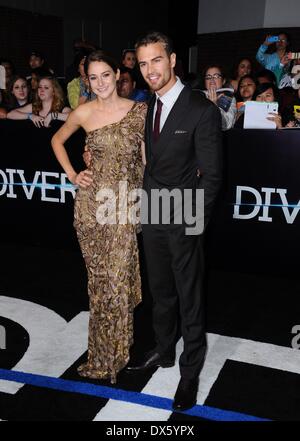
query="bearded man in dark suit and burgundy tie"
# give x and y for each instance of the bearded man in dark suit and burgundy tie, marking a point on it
(183, 152)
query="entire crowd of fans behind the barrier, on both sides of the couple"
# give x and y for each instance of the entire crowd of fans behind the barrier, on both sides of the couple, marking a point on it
(41, 98)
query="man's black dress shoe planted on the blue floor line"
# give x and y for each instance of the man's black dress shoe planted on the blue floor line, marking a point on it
(186, 394)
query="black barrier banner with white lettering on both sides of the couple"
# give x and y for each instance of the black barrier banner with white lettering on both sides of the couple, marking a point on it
(256, 223)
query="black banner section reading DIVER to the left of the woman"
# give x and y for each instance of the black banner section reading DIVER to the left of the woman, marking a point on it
(36, 198)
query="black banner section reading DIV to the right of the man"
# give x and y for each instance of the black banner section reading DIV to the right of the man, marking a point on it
(256, 225)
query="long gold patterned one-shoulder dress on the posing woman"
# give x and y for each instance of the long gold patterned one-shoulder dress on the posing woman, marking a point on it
(110, 250)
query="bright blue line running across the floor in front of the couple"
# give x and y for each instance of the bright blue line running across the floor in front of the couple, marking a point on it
(142, 399)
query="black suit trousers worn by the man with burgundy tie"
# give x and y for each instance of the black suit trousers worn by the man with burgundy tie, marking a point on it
(175, 267)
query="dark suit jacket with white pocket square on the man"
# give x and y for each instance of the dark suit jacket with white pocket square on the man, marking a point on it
(191, 140)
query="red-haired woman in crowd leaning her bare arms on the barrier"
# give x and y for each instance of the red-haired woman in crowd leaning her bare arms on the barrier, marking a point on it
(48, 105)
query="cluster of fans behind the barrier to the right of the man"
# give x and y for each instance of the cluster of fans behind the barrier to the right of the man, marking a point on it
(274, 81)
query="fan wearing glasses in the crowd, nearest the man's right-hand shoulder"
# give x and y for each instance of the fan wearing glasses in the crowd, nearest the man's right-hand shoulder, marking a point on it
(214, 81)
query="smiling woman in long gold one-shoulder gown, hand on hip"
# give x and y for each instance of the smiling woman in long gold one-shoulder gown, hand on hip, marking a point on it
(115, 133)
